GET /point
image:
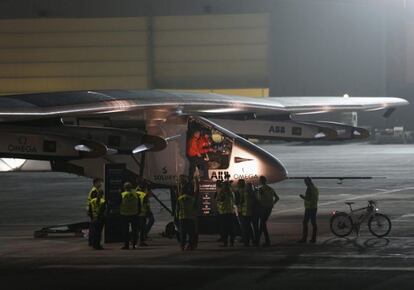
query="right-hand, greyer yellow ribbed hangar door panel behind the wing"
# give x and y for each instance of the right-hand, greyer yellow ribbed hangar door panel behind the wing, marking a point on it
(211, 51)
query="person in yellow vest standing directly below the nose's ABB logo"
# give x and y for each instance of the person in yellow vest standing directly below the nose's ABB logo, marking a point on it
(225, 207)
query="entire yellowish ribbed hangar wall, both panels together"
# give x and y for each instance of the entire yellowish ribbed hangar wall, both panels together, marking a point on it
(203, 52)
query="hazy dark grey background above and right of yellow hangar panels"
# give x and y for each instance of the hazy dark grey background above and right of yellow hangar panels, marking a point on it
(317, 47)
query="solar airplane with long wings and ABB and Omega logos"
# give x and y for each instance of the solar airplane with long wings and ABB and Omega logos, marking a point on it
(79, 132)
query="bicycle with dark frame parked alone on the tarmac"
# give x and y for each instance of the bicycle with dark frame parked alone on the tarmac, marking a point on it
(343, 223)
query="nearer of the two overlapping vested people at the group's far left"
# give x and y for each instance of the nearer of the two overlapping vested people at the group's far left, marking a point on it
(96, 210)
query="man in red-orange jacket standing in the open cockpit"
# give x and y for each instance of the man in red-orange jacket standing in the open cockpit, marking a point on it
(195, 155)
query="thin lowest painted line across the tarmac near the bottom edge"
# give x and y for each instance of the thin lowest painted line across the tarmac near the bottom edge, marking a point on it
(230, 267)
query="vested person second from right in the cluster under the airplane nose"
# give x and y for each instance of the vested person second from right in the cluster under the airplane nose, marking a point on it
(245, 207)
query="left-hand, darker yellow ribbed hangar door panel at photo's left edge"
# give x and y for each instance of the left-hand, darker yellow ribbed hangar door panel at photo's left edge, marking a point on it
(72, 54)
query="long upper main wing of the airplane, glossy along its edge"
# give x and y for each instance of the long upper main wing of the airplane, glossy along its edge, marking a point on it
(87, 103)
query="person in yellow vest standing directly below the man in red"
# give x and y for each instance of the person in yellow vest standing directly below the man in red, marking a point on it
(186, 215)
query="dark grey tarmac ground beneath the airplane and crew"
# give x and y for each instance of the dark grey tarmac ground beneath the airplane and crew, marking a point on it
(29, 201)
